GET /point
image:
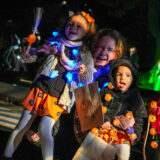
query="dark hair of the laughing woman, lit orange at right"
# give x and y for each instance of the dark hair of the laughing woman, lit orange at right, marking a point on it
(121, 45)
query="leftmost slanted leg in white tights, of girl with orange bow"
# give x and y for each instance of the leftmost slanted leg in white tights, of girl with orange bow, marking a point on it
(17, 135)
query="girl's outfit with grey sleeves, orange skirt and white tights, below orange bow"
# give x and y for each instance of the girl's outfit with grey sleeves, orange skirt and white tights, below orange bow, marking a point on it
(52, 96)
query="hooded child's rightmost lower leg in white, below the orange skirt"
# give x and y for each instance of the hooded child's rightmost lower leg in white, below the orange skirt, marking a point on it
(123, 151)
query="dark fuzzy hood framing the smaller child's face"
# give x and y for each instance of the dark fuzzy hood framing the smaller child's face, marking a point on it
(123, 61)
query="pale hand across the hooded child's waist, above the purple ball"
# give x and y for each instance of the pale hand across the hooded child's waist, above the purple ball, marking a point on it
(124, 122)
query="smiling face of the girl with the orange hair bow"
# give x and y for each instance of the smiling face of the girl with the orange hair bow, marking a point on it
(76, 28)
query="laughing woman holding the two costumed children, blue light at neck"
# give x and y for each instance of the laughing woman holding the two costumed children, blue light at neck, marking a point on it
(108, 44)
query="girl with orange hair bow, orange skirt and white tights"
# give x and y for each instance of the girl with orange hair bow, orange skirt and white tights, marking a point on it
(51, 93)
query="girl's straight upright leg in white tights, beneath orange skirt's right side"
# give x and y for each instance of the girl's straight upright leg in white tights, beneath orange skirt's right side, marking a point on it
(47, 141)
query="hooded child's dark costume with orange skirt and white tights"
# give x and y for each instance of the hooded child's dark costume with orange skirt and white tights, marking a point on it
(119, 104)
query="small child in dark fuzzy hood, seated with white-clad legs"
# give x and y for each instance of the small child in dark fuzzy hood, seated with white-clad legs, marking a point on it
(120, 98)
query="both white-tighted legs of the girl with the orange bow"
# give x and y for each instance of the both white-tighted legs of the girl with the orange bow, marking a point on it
(45, 131)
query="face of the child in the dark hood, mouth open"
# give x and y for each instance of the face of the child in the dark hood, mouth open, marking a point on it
(123, 78)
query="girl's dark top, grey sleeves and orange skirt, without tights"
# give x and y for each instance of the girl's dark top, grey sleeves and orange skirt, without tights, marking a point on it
(41, 98)
